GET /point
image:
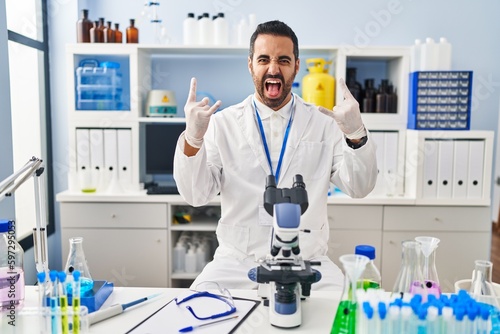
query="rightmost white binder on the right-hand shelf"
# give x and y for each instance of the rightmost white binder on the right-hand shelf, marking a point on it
(476, 167)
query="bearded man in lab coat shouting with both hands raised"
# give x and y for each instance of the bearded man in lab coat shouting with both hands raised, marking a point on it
(272, 131)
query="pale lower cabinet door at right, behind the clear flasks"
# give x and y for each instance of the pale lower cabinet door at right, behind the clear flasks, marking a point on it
(455, 255)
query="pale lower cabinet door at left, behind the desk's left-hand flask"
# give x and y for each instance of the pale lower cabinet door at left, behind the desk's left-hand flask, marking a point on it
(126, 257)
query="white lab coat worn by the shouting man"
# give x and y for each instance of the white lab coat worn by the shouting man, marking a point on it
(232, 162)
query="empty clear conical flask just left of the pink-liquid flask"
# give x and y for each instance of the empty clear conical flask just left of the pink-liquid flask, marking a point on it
(410, 278)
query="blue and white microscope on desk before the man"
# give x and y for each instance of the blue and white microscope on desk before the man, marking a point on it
(285, 277)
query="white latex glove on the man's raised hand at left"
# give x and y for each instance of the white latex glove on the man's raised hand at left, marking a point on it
(197, 116)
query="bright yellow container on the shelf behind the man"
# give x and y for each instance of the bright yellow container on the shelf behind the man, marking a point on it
(318, 86)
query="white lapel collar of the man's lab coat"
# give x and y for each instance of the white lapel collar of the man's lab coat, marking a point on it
(250, 129)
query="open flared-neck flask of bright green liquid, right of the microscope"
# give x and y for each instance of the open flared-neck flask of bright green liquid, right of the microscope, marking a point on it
(345, 319)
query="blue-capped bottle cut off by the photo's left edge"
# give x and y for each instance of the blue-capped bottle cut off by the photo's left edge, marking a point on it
(11, 267)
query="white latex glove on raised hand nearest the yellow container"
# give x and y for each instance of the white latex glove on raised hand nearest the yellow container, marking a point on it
(347, 114)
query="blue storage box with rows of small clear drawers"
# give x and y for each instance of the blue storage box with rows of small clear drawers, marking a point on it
(440, 100)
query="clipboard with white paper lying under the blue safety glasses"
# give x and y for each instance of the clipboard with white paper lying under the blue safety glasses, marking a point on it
(171, 317)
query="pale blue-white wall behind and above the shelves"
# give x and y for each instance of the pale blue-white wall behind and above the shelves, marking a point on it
(471, 26)
